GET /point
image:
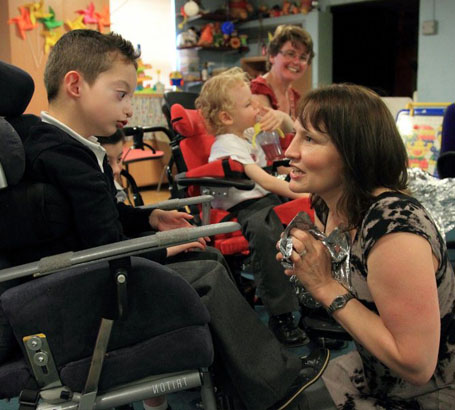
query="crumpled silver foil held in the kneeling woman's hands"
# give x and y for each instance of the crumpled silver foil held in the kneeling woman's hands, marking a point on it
(338, 244)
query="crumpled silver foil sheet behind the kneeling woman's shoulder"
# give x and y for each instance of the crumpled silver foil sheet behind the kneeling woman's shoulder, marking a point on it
(436, 195)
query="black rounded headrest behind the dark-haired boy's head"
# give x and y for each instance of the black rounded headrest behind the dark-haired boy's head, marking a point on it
(16, 90)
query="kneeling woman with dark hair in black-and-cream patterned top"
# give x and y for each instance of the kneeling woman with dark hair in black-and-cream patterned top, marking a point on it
(399, 307)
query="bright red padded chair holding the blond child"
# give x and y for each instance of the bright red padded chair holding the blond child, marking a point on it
(196, 174)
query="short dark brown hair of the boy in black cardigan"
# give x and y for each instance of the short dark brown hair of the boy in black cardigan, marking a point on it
(87, 51)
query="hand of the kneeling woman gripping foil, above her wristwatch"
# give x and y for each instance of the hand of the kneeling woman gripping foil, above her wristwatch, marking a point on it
(312, 262)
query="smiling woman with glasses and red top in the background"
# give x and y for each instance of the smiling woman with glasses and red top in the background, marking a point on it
(290, 52)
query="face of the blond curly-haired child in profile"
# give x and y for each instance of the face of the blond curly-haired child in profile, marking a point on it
(244, 113)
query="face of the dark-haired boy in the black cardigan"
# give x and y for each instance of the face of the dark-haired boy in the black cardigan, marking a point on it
(106, 104)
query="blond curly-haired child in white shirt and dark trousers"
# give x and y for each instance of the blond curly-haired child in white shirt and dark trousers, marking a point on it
(228, 109)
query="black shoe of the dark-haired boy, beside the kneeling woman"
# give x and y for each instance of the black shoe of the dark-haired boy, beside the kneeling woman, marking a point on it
(313, 366)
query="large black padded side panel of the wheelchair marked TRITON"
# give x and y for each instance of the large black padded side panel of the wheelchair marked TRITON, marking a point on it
(67, 306)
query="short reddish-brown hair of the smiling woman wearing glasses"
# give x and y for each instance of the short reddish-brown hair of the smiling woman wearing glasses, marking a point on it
(296, 35)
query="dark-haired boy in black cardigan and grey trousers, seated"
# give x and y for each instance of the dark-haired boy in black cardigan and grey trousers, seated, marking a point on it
(92, 96)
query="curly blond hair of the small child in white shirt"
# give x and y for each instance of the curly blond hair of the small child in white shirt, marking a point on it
(214, 97)
